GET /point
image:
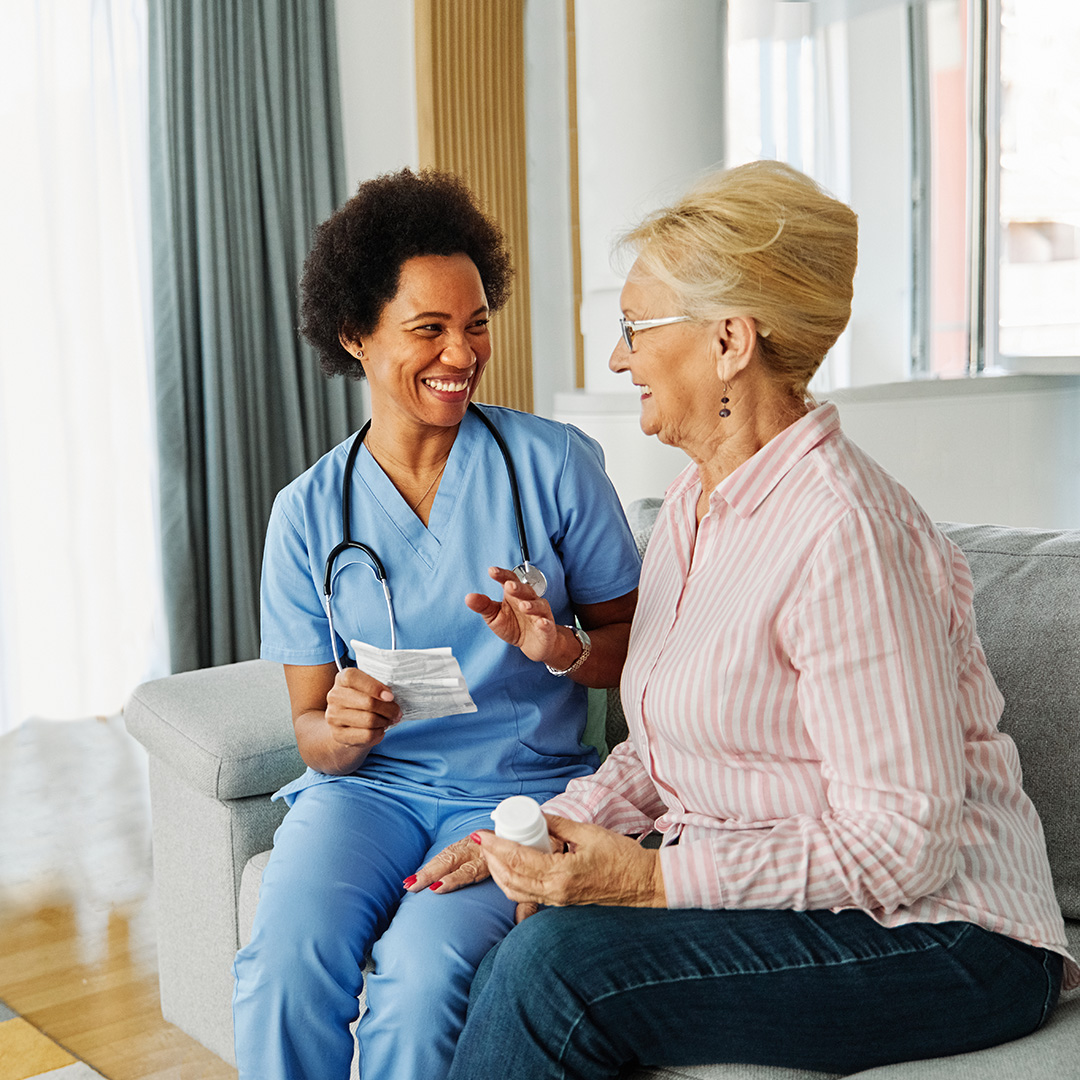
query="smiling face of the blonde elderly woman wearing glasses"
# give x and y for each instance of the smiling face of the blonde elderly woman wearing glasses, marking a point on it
(672, 367)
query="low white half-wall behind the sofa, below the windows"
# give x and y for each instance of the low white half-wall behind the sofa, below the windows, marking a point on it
(1004, 451)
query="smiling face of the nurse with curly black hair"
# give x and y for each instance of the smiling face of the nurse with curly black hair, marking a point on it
(429, 350)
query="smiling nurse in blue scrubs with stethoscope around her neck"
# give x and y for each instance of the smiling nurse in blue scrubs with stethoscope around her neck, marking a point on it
(399, 289)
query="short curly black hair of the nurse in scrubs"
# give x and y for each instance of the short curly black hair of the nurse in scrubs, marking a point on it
(354, 268)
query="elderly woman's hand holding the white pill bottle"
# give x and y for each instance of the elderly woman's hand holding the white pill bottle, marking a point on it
(598, 868)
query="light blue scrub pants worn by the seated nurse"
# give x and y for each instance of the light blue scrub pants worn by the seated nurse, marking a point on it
(332, 894)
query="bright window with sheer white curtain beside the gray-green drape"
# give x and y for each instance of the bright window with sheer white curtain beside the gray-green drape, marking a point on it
(80, 622)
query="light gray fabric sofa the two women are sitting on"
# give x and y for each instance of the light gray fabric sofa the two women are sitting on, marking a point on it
(221, 741)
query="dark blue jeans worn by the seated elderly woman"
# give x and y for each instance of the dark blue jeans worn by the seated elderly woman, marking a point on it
(582, 992)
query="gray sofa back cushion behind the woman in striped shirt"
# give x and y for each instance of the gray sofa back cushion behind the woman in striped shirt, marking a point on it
(1028, 614)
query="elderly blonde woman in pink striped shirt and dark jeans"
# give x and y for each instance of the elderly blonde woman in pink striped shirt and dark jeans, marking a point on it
(850, 873)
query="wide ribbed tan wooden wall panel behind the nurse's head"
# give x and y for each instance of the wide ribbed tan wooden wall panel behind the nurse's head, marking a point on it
(470, 60)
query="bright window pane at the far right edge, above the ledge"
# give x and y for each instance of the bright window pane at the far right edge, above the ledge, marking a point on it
(1041, 179)
